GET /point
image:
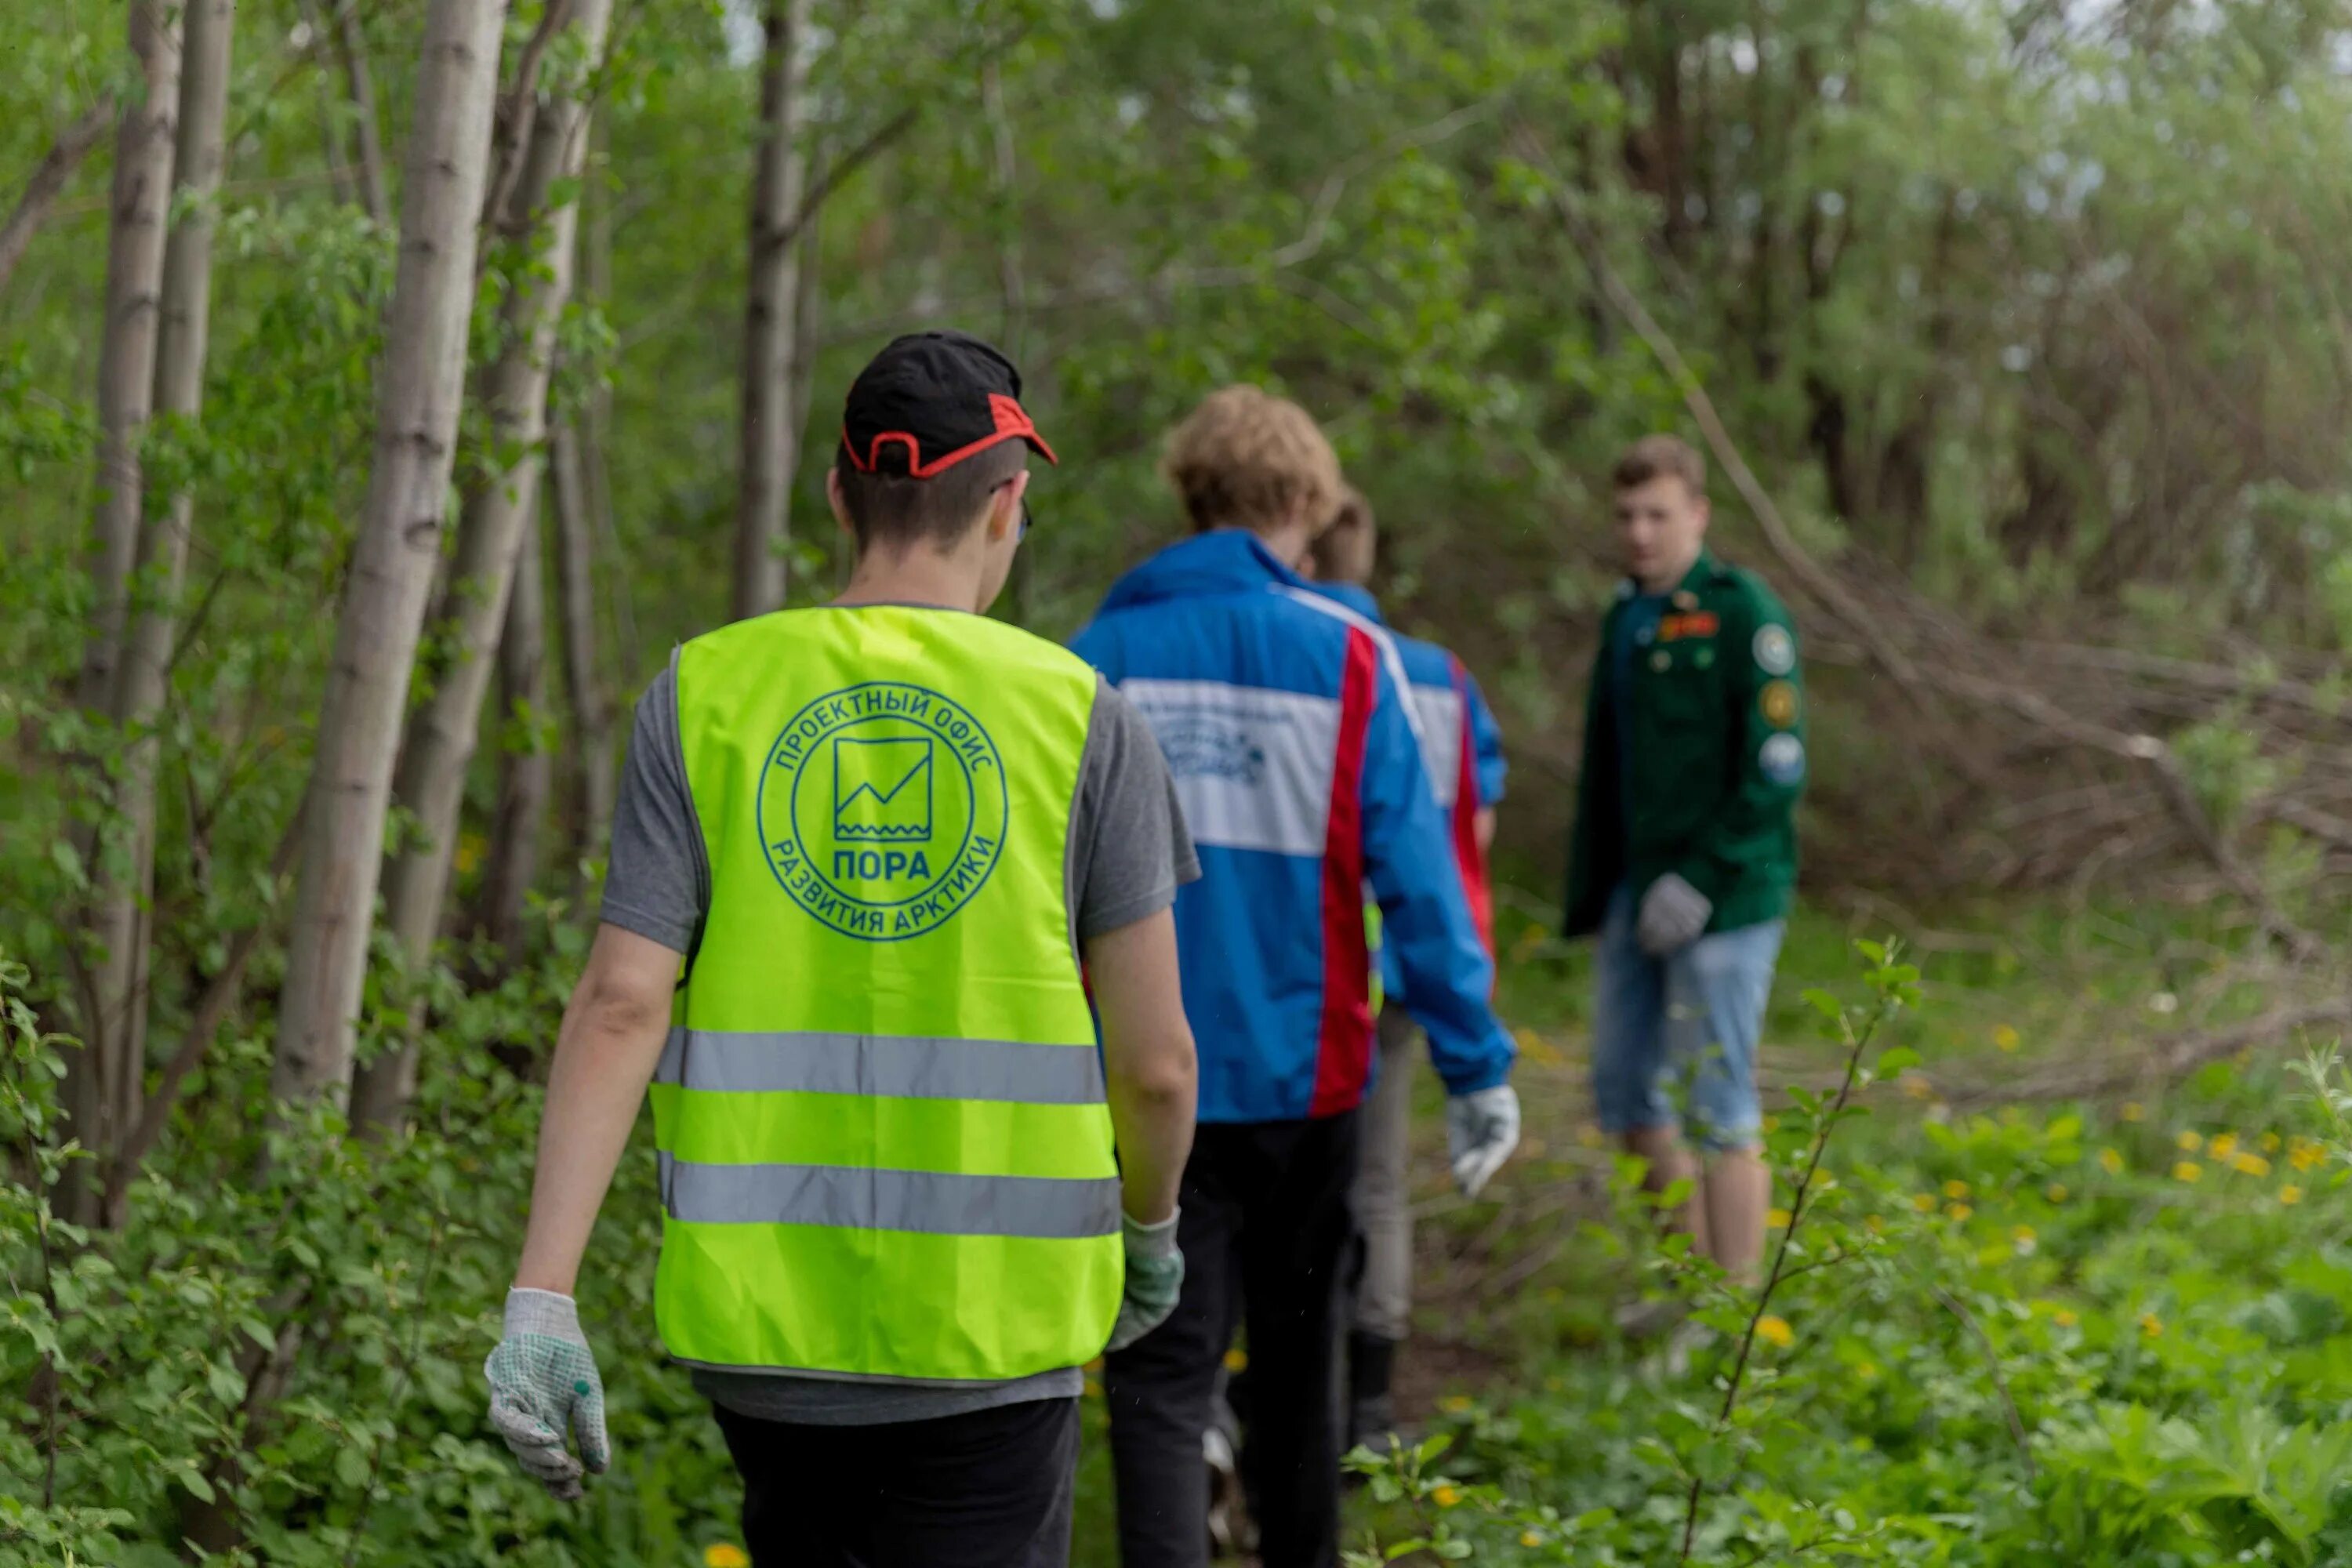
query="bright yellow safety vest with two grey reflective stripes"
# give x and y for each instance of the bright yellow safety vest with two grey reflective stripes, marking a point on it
(881, 1113)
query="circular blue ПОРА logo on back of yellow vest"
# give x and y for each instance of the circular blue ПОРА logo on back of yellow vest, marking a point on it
(883, 810)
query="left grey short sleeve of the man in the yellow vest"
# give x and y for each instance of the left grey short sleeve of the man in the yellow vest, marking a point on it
(660, 878)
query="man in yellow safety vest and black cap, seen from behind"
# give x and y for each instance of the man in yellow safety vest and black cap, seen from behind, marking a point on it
(909, 1188)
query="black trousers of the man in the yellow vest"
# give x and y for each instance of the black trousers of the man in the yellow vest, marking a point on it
(965, 1492)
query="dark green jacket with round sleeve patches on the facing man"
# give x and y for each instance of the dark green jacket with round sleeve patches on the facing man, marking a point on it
(1718, 758)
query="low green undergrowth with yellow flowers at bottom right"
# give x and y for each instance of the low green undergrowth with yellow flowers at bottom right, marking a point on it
(1991, 1341)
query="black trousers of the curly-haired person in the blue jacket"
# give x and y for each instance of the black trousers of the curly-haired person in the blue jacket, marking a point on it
(1264, 1231)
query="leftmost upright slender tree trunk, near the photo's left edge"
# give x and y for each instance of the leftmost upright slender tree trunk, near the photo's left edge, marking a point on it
(145, 147)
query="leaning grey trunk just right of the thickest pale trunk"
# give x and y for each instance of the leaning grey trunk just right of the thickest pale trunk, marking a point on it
(500, 504)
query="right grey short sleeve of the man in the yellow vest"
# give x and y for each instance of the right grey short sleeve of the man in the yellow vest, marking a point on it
(1130, 847)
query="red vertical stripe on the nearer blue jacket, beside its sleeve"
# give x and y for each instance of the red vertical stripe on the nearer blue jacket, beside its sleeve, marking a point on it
(1344, 1052)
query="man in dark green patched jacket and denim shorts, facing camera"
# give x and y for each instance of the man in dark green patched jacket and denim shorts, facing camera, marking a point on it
(1685, 847)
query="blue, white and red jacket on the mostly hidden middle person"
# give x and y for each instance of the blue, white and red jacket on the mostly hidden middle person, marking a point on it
(1462, 749)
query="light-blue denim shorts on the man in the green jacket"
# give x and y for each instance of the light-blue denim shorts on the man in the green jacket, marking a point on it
(1681, 1031)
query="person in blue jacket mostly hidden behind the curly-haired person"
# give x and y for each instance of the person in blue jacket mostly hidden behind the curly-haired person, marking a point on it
(1462, 749)
